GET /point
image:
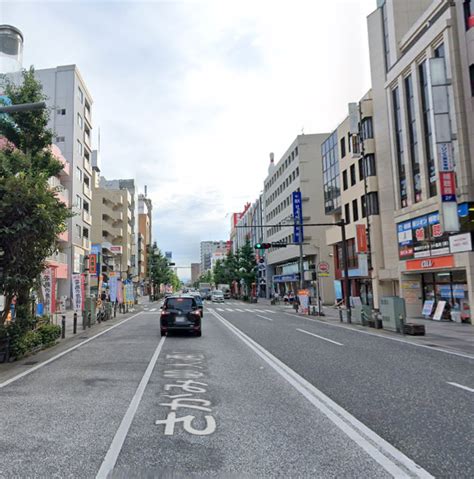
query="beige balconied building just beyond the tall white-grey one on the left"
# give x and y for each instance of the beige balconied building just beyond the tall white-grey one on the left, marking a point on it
(112, 213)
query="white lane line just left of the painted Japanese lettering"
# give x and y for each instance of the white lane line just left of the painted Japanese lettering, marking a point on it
(111, 457)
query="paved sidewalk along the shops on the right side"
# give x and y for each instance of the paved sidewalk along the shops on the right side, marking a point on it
(452, 336)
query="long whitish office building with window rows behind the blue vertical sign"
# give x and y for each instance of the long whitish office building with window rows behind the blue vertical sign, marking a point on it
(299, 170)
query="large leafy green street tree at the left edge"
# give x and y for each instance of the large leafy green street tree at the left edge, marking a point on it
(31, 215)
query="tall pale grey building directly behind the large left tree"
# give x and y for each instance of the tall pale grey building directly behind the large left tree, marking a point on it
(71, 121)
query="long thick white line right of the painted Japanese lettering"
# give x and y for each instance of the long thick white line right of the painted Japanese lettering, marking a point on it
(375, 446)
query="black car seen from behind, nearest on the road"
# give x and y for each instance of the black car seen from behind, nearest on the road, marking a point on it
(180, 313)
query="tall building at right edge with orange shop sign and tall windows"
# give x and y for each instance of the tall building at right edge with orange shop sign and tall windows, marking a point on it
(422, 57)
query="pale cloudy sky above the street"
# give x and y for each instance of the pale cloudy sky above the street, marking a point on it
(191, 96)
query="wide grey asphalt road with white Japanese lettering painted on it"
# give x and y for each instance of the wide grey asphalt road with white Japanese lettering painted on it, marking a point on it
(273, 402)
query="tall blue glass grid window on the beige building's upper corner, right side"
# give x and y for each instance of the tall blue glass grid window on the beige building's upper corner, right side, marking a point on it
(331, 178)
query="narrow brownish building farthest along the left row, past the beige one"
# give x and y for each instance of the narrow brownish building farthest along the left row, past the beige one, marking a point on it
(144, 240)
